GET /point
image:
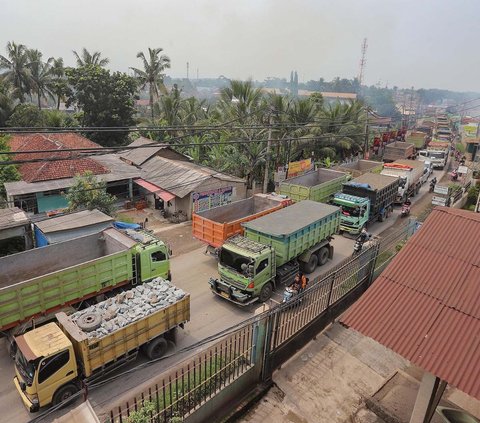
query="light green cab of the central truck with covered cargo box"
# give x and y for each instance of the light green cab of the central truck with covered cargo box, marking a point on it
(245, 267)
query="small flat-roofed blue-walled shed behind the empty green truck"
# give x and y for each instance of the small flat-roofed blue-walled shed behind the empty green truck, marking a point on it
(69, 226)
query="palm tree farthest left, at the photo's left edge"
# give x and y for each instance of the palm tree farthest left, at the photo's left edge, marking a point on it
(17, 70)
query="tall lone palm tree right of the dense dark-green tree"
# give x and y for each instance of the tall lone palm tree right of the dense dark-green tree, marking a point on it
(152, 73)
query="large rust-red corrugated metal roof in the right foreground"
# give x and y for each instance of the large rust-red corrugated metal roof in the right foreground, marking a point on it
(425, 305)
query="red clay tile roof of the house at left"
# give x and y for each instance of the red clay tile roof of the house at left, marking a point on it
(59, 169)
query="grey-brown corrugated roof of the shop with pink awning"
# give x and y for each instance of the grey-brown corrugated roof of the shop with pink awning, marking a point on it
(180, 177)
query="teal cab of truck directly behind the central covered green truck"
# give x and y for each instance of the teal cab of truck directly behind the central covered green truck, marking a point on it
(355, 212)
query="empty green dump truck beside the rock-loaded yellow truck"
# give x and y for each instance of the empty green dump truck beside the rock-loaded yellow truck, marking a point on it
(38, 283)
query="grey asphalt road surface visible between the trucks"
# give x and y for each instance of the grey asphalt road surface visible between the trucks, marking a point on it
(209, 315)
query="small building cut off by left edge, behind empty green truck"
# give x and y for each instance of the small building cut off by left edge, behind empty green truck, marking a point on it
(15, 231)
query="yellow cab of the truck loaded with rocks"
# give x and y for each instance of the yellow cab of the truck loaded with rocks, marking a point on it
(45, 366)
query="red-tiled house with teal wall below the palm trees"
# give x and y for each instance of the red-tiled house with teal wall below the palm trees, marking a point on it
(45, 181)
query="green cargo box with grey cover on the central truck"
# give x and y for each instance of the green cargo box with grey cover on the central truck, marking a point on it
(294, 229)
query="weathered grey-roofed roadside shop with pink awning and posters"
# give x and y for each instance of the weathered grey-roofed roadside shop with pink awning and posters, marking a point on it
(172, 182)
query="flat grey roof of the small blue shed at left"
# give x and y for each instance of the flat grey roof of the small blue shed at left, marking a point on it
(73, 220)
